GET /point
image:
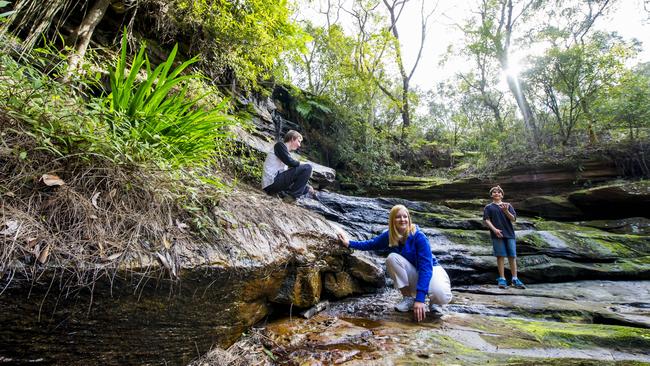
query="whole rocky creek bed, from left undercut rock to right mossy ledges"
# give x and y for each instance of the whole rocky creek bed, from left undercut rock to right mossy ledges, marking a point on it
(588, 298)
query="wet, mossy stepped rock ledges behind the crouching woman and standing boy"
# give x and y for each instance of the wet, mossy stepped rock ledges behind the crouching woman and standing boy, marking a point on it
(548, 251)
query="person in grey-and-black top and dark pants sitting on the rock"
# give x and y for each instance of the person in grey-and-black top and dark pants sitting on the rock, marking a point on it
(282, 173)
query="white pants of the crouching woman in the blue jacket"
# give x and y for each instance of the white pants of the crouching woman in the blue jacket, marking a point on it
(404, 274)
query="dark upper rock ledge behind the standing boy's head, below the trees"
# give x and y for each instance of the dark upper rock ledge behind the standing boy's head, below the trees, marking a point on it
(551, 191)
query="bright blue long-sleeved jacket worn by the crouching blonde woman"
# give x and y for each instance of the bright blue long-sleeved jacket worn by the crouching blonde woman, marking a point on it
(416, 250)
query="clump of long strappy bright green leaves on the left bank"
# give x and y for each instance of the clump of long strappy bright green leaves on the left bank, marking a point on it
(155, 116)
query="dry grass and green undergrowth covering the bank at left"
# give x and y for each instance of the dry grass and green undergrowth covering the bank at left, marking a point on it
(89, 185)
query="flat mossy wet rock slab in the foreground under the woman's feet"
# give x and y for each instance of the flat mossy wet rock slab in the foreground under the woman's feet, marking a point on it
(588, 322)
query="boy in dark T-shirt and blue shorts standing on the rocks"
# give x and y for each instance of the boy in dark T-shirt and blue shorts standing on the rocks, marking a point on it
(499, 216)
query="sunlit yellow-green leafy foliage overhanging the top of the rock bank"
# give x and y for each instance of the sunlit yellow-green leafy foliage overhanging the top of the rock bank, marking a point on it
(240, 40)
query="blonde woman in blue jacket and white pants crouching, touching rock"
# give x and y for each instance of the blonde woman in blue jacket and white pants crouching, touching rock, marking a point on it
(414, 270)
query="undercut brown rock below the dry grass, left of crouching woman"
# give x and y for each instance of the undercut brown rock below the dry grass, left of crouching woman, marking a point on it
(195, 293)
